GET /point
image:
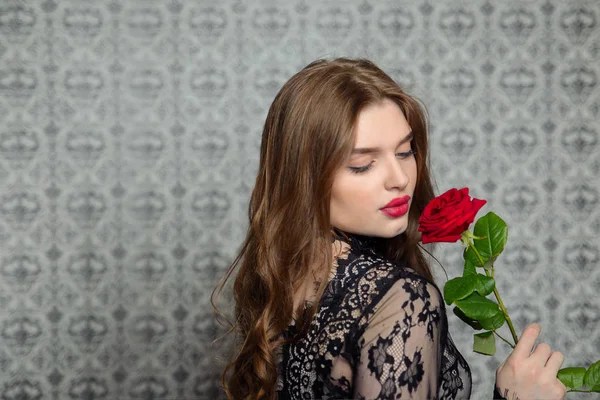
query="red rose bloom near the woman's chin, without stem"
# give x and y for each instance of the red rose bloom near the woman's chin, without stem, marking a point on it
(447, 216)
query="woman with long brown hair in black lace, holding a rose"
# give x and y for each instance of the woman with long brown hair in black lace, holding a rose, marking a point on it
(334, 297)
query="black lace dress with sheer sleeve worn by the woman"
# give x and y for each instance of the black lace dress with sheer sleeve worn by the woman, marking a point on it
(380, 332)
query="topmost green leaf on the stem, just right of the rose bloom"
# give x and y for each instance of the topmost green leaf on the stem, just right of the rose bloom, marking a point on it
(496, 233)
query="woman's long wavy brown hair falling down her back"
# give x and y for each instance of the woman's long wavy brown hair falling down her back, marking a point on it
(308, 135)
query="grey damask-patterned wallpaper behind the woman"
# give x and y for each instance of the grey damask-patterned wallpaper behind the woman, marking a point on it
(129, 134)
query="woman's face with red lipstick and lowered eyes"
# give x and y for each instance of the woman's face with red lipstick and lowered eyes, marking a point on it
(372, 193)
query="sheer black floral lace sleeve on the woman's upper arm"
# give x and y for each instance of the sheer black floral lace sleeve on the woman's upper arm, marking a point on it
(400, 349)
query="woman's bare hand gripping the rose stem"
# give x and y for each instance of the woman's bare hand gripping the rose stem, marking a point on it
(528, 375)
